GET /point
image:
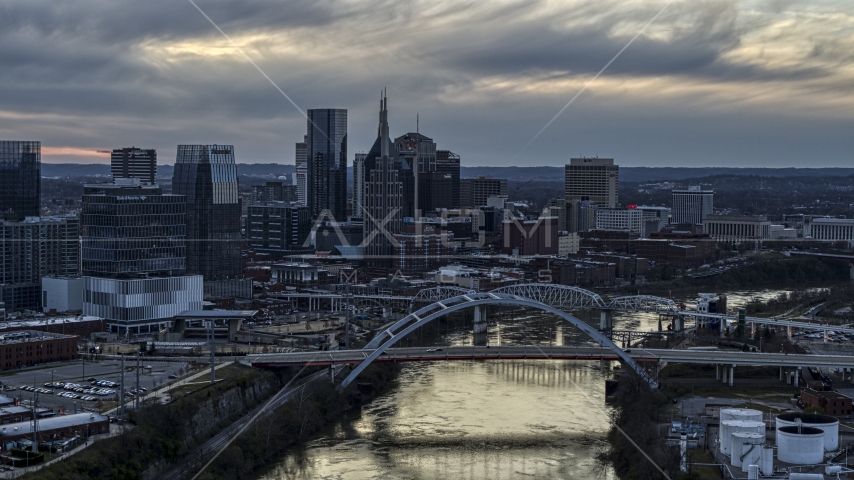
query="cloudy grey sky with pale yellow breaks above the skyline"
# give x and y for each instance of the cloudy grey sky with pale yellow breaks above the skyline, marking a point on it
(710, 82)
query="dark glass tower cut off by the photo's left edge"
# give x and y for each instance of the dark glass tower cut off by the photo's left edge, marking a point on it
(20, 179)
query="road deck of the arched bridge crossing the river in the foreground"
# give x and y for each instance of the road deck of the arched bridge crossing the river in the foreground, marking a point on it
(723, 357)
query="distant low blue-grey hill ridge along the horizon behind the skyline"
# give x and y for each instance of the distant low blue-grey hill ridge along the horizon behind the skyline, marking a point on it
(544, 174)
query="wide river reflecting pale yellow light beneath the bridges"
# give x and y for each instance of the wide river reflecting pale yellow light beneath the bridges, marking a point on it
(481, 420)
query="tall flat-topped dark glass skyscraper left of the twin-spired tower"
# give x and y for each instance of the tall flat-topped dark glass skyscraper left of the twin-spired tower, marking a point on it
(326, 159)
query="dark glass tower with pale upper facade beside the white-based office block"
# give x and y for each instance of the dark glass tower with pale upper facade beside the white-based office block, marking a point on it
(207, 176)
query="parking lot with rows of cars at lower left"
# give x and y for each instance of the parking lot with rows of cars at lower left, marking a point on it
(80, 374)
